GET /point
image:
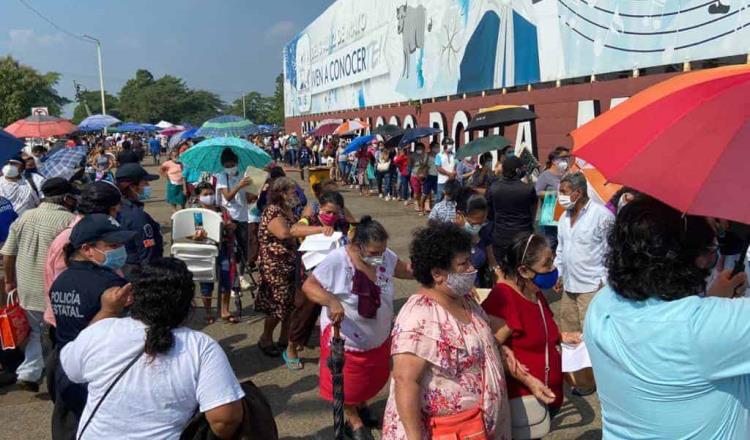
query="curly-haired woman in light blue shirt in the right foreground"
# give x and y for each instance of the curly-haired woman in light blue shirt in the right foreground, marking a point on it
(669, 363)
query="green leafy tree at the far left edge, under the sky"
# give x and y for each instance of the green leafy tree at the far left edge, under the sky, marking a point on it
(22, 87)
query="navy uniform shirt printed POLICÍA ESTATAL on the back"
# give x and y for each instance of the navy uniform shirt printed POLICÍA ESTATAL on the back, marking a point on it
(76, 296)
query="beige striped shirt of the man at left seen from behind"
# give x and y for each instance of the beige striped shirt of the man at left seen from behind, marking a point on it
(28, 240)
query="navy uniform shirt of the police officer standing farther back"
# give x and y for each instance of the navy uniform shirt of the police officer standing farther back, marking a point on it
(148, 245)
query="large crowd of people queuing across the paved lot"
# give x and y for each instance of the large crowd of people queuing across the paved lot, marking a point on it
(475, 352)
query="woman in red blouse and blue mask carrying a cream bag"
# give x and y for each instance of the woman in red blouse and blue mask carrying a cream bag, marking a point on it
(518, 309)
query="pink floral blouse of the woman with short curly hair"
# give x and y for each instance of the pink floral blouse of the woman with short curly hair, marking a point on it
(463, 365)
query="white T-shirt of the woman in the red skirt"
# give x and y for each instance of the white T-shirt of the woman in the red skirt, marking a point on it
(336, 274)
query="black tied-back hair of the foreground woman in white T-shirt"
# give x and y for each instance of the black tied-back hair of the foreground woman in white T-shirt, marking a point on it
(163, 300)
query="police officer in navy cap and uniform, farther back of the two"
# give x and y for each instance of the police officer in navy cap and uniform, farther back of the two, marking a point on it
(148, 245)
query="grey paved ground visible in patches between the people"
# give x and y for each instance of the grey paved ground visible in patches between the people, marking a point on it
(300, 414)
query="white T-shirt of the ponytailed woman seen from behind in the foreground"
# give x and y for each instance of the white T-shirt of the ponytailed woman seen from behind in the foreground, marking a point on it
(155, 398)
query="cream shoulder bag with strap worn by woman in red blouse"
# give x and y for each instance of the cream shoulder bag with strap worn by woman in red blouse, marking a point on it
(530, 418)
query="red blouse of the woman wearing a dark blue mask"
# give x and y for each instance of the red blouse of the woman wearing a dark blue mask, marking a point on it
(527, 340)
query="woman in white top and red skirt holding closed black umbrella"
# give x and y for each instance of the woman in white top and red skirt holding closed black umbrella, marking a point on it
(355, 286)
